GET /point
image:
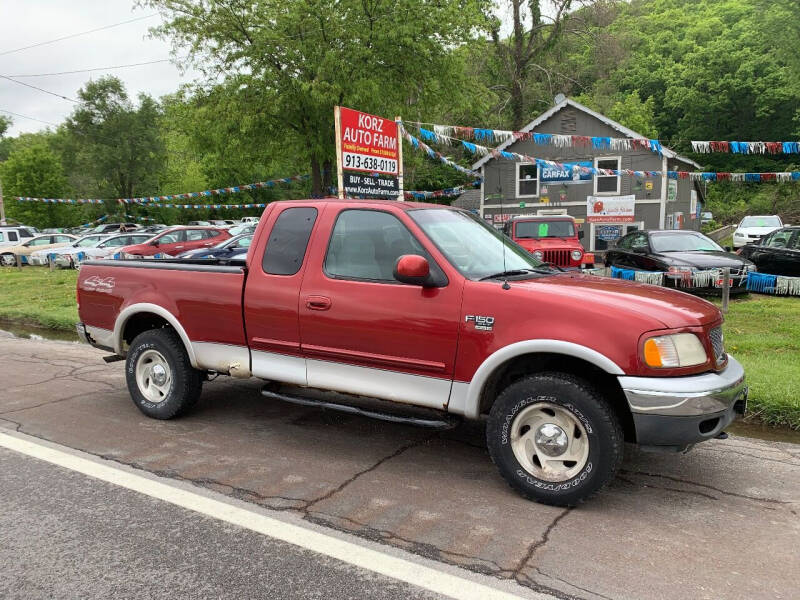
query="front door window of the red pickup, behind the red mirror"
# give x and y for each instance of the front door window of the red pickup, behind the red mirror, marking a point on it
(366, 244)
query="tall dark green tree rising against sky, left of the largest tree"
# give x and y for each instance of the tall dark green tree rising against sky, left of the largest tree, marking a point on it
(117, 142)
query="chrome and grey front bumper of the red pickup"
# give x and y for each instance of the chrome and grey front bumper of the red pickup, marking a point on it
(680, 411)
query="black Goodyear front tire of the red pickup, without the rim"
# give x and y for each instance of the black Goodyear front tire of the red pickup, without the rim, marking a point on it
(602, 426)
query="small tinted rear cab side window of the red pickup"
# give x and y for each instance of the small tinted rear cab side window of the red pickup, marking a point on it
(288, 241)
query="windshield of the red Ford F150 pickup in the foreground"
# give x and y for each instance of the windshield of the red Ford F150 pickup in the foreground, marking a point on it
(472, 246)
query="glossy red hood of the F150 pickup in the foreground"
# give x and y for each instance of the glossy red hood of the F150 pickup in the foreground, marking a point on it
(617, 296)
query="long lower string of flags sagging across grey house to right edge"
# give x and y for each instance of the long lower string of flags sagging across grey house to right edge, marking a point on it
(480, 150)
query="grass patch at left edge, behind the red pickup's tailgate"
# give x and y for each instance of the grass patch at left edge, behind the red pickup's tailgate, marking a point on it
(38, 296)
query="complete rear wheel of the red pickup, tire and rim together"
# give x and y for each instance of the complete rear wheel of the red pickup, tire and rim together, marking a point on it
(161, 380)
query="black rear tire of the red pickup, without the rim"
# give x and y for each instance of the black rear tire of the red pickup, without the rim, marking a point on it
(186, 381)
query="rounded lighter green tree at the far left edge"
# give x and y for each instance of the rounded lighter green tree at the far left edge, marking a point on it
(36, 171)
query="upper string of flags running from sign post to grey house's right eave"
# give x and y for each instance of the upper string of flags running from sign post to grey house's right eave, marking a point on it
(452, 133)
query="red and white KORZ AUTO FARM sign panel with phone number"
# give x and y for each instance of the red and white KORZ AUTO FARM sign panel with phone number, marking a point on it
(368, 143)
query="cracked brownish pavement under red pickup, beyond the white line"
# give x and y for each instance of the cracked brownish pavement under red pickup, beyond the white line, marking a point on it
(720, 522)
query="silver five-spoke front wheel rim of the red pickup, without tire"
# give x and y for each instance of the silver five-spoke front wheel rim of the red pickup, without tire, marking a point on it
(549, 442)
